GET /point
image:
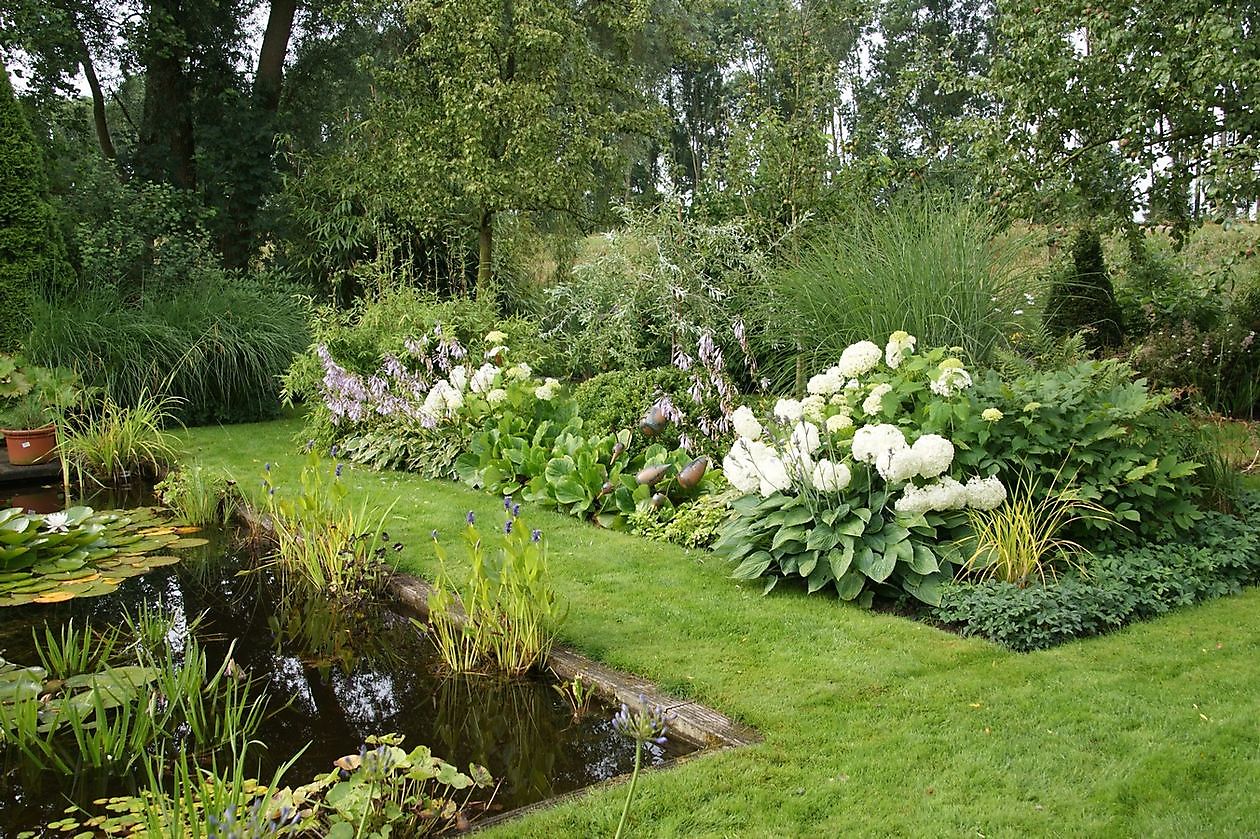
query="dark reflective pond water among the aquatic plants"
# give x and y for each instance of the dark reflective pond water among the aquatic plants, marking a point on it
(332, 683)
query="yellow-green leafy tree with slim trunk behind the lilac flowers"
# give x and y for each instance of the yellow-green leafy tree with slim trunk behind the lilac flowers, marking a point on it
(497, 106)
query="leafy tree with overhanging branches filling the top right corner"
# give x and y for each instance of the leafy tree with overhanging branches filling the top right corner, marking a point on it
(1160, 93)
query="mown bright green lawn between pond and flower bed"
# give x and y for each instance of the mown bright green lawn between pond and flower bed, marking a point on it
(874, 725)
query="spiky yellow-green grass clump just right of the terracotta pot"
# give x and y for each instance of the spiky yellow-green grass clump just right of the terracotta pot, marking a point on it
(113, 443)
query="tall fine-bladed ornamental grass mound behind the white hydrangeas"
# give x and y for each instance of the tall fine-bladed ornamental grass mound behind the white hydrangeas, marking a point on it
(933, 268)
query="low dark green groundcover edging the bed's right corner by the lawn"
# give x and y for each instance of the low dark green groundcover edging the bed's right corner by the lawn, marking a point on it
(1218, 559)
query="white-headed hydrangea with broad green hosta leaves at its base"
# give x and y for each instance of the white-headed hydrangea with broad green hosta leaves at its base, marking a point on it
(859, 484)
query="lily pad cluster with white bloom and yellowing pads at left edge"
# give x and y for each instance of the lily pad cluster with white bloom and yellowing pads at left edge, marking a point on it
(80, 552)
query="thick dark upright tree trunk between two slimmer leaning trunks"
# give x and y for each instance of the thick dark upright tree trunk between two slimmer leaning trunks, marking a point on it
(166, 149)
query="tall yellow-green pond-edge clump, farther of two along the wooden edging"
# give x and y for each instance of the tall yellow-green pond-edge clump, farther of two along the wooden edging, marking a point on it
(323, 547)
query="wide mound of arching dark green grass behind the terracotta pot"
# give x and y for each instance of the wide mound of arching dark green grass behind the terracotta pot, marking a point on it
(220, 347)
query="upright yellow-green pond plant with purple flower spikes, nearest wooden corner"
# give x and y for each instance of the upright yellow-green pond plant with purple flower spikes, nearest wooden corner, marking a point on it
(506, 618)
